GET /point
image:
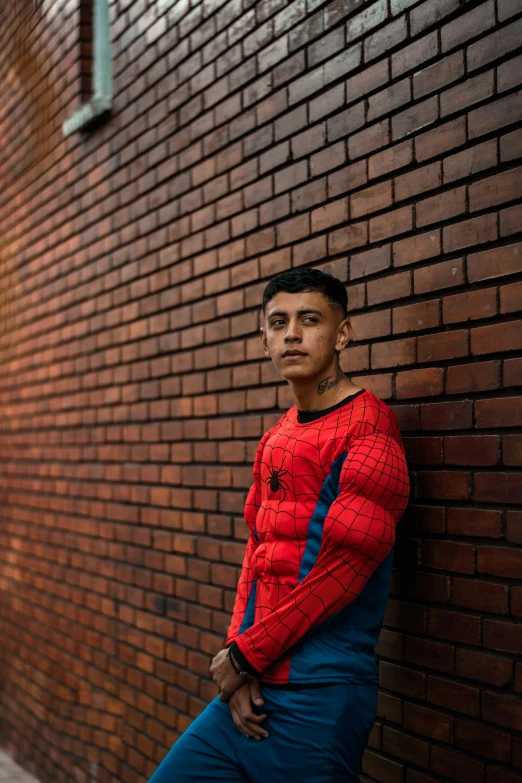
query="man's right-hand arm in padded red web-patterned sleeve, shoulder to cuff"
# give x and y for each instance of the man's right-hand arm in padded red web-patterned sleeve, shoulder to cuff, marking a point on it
(358, 534)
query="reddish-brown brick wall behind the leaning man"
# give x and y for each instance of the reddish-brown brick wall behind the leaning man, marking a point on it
(377, 140)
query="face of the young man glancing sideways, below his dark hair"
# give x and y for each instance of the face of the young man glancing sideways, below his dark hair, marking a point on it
(302, 332)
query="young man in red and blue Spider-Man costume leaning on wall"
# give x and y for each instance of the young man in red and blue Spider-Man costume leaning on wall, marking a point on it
(330, 484)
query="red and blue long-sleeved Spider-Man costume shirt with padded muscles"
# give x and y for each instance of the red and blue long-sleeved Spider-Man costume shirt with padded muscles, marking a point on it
(322, 512)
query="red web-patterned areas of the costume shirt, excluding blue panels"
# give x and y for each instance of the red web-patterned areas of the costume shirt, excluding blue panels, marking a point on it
(357, 533)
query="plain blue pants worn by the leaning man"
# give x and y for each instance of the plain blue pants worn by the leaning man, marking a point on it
(317, 735)
